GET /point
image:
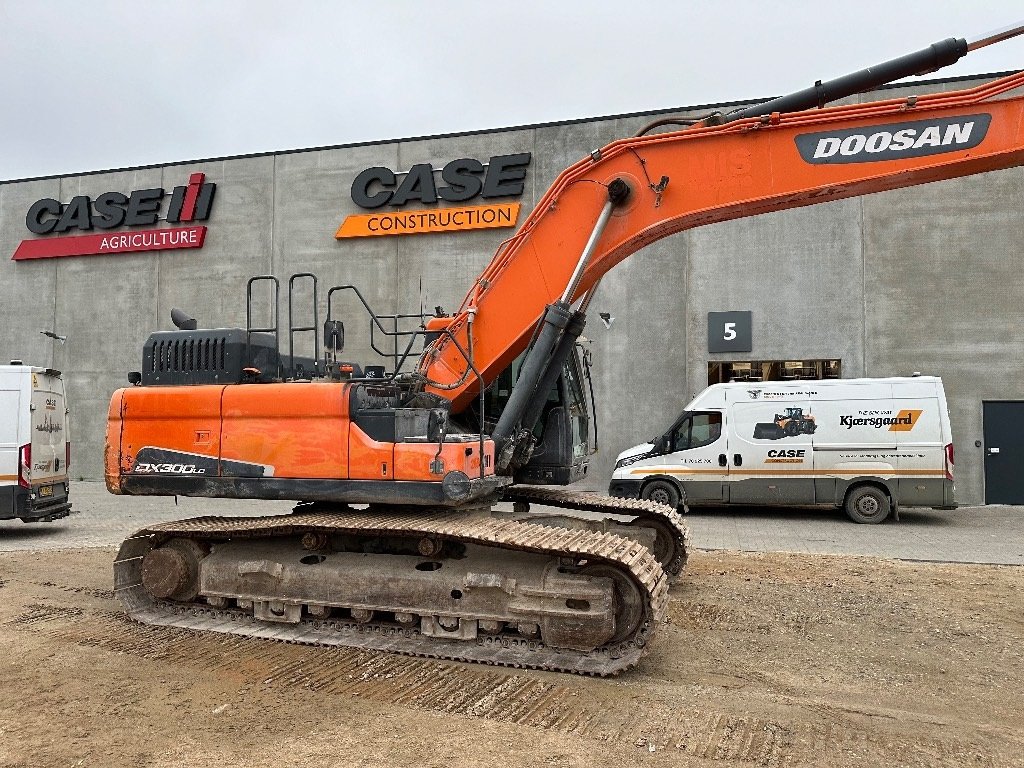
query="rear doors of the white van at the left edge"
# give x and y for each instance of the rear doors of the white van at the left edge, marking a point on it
(50, 435)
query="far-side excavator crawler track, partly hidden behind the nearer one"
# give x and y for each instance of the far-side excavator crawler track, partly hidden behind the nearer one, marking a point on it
(673, 537)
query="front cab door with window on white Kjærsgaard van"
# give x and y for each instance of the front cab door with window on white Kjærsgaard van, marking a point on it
(696, 455)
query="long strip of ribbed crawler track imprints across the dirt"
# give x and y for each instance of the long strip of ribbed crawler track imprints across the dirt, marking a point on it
(527, 700)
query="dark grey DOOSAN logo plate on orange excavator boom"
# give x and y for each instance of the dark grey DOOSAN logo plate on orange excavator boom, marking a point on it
(912, 140)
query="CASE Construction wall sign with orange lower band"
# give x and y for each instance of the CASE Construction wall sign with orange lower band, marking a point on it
(461, 181)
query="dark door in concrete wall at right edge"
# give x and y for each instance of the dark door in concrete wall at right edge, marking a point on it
(1004, 425)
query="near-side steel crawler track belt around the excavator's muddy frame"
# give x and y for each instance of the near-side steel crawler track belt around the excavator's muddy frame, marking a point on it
(613, 557)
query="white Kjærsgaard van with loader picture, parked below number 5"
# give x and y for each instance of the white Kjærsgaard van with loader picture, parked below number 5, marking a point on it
(869, 446)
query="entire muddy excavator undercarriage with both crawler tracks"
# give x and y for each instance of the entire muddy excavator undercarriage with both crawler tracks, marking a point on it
(463, 585)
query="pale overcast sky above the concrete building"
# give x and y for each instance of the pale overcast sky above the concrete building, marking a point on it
(97, 86)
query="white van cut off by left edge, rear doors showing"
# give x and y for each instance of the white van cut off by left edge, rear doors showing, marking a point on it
(34, 445)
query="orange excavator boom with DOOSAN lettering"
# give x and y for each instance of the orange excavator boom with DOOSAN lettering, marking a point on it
(706, 175)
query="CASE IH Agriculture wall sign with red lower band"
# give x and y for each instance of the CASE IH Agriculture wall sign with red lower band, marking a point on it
(115, 210)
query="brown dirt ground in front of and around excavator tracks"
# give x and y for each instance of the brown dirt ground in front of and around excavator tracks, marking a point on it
(770, 660)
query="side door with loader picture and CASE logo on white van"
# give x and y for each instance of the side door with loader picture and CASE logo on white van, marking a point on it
(771, 453)
